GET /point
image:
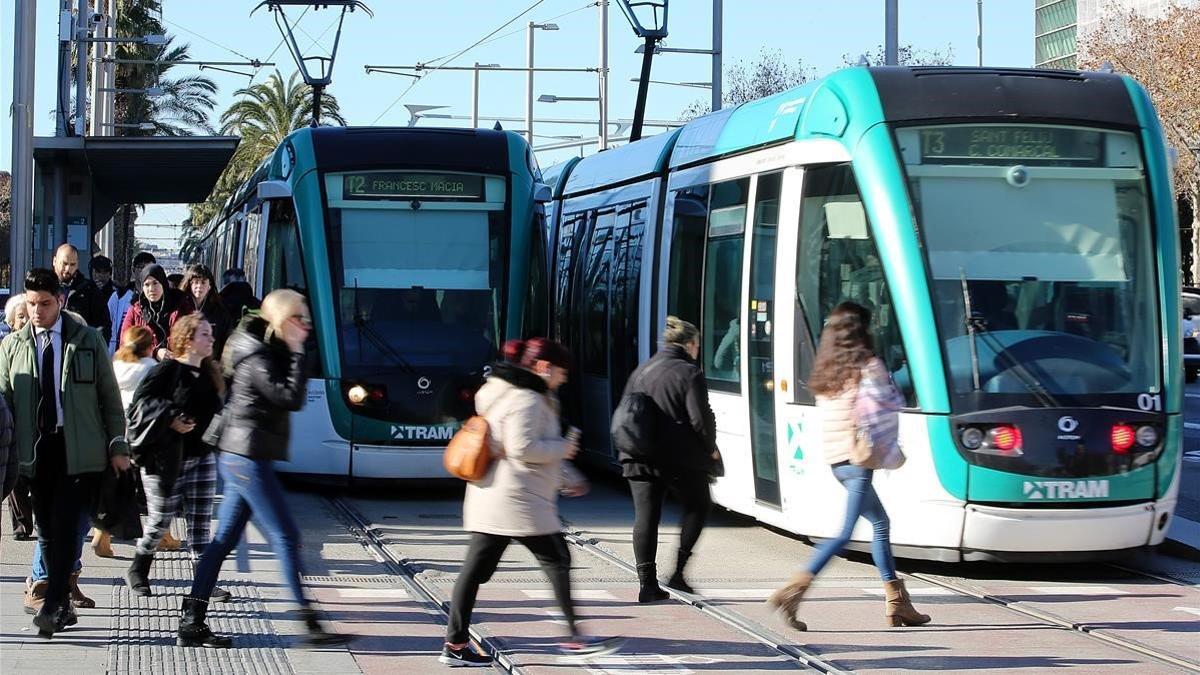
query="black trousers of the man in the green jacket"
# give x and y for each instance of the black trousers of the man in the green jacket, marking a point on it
(59, 500)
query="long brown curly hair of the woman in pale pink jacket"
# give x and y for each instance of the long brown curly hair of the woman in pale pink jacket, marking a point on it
(844, 350)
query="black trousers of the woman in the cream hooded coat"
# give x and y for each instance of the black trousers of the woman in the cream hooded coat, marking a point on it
(484, 555)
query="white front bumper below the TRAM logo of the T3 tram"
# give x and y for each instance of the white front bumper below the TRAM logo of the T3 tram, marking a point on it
(1063, 531)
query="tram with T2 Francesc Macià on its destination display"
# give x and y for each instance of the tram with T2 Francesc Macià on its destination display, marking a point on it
(421, 250)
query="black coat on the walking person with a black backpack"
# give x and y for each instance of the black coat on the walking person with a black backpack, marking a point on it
(687, 428)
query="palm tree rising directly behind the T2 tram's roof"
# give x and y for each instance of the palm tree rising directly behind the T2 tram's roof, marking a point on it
(263, 117)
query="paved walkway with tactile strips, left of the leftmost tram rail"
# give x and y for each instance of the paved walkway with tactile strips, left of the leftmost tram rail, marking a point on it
(133, 635)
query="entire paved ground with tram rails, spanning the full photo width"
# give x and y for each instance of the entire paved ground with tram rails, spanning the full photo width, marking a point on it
(382, 566)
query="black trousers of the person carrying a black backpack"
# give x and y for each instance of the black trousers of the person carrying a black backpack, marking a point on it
(692, 491)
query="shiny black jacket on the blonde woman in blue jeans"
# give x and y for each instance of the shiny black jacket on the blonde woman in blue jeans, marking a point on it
(269, 383)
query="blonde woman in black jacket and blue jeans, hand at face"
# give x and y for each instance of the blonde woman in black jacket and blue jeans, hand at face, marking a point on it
(267, 359)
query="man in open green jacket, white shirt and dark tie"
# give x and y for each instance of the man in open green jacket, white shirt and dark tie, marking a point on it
(59, 384)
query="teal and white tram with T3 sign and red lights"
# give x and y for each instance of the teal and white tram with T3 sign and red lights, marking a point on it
(1013, 232)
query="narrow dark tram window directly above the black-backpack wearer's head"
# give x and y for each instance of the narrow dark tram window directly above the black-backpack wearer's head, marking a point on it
(691, 223)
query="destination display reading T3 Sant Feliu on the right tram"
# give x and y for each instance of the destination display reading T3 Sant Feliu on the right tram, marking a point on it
(1011, 145)
